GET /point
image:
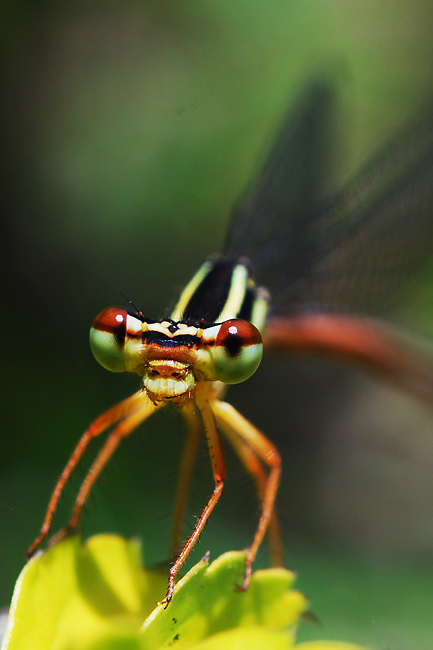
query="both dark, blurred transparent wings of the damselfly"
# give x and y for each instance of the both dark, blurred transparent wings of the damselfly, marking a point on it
(353, 252)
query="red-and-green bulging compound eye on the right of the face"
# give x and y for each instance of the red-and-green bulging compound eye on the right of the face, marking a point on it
(238, 351)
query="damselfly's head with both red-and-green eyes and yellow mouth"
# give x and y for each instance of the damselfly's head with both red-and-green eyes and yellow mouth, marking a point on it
(172, 357)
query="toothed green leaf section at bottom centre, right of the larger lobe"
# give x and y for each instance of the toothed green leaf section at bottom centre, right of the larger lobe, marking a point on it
(207, 602)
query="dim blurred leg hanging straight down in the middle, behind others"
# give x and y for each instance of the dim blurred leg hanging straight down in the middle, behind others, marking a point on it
(195, 428)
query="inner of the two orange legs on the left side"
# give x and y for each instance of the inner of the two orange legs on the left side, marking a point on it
(123, 429)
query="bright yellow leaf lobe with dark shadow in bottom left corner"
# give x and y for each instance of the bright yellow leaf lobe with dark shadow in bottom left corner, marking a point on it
(79, 596)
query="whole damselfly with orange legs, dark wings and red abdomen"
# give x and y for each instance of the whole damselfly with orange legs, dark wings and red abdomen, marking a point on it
(316, 266)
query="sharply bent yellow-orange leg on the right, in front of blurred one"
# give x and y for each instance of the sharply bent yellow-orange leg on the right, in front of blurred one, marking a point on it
(228, 417)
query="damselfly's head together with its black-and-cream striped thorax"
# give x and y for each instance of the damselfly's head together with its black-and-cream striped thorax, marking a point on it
(172, 356)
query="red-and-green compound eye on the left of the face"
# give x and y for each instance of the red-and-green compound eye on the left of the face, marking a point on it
(107, 338)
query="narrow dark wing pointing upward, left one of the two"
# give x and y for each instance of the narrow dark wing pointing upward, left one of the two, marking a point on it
(281, 200)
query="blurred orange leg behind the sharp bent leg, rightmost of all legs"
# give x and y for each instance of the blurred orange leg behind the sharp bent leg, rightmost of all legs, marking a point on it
(254, 467)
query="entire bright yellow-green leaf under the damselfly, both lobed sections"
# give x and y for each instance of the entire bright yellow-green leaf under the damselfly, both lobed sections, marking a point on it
(96, 596)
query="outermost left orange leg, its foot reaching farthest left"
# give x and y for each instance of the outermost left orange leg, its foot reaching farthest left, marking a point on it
(134, 404)
